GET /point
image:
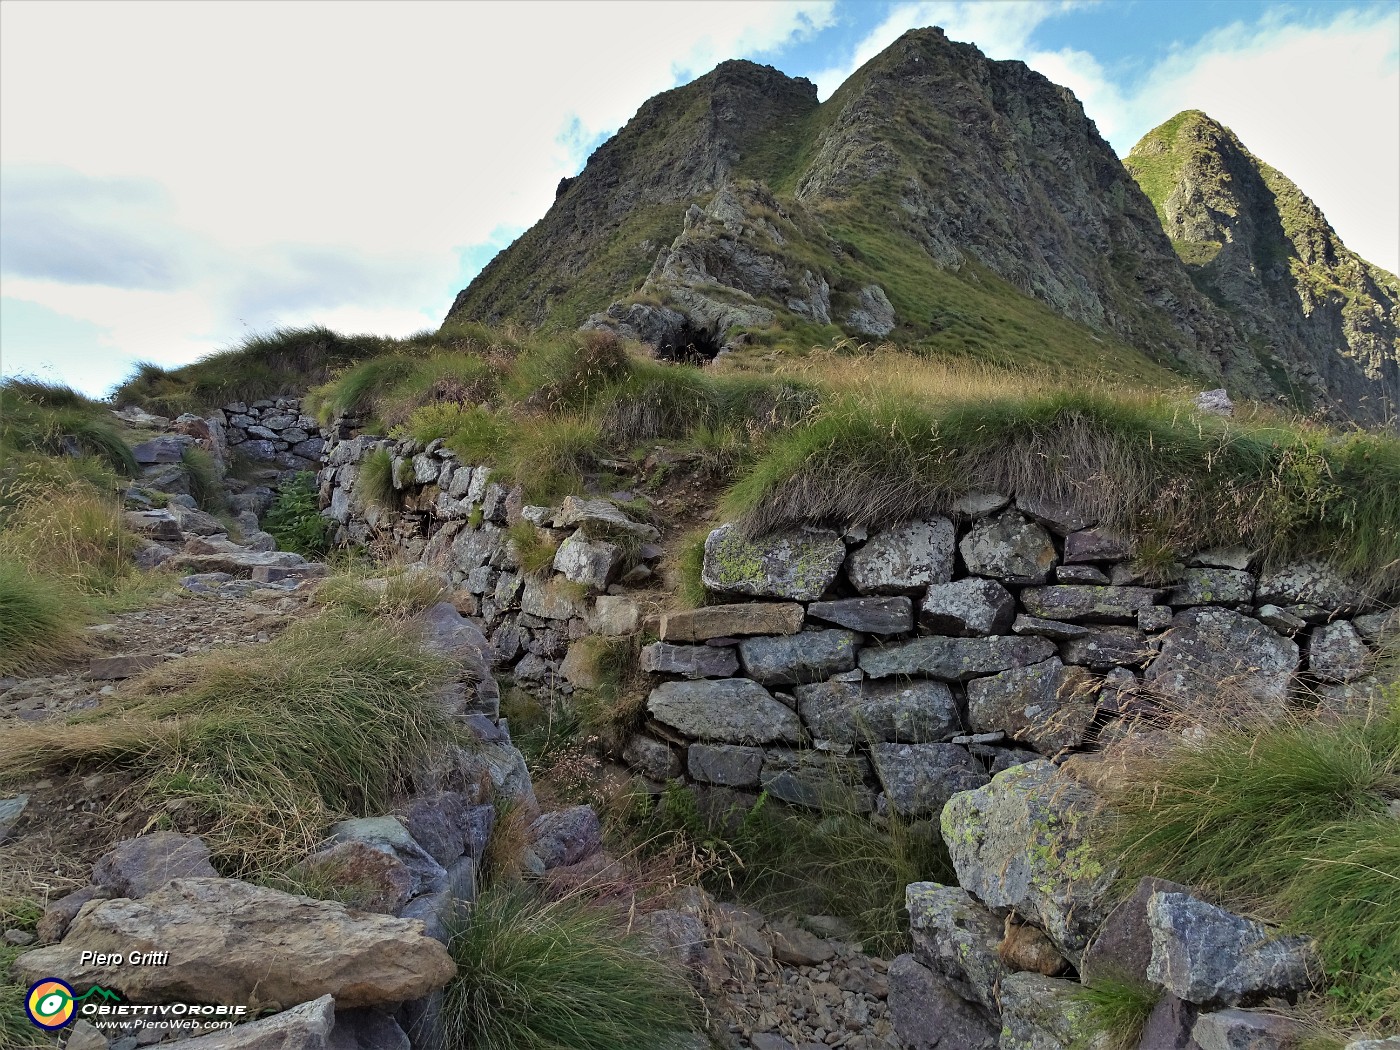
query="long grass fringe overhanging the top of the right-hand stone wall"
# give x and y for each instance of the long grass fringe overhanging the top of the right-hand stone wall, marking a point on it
(1143, 465)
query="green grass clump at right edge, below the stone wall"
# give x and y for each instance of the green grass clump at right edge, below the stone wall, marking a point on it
(1290, 822)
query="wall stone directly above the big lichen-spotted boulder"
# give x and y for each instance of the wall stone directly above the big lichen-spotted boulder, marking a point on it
(1046, 705)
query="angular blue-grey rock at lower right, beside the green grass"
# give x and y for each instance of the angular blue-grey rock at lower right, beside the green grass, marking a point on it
(1213, 958)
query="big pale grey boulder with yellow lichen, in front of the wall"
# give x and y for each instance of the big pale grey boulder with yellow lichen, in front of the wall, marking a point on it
(1021, 843)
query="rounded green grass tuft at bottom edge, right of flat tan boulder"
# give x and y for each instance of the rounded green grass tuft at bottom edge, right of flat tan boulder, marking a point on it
(559, 976)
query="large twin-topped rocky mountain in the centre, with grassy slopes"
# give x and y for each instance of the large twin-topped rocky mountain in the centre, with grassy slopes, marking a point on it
(939, 199)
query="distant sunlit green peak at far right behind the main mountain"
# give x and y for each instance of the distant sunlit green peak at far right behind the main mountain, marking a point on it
(1326, 320)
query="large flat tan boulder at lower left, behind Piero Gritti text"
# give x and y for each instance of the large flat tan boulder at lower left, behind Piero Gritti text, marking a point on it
(229, 941)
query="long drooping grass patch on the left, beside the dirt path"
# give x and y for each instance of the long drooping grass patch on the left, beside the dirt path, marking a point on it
(261, 748)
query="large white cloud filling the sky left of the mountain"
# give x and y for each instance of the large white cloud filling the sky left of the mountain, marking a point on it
(318, 163)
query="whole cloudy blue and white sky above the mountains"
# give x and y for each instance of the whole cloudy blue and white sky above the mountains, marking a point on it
(176, 177)
